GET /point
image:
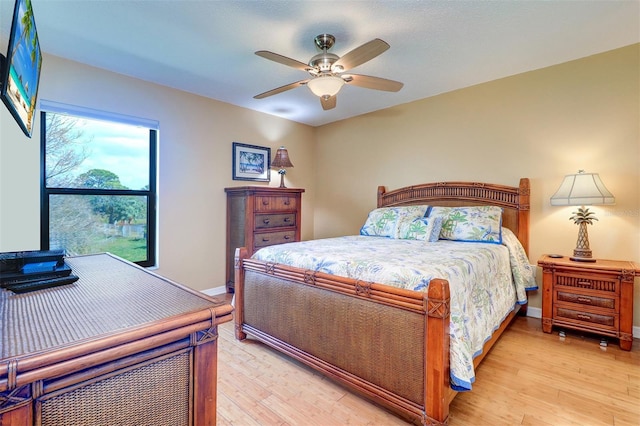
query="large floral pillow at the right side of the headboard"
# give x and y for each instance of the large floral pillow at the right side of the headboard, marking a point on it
(472, 224)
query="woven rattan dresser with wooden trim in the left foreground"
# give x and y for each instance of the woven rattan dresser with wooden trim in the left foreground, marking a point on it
(121, 346)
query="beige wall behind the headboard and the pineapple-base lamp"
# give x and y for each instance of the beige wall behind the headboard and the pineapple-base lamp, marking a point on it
(543, 124)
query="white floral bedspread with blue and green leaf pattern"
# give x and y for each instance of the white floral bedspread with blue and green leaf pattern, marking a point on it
(486, 280)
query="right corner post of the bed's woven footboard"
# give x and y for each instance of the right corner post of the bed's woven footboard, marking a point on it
(437, 350)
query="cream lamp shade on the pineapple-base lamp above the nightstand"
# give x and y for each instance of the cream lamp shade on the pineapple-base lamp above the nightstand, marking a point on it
(582, 189)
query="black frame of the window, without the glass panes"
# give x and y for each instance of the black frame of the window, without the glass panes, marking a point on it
(151, 194)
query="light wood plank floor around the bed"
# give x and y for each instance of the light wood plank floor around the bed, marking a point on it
(529, 378)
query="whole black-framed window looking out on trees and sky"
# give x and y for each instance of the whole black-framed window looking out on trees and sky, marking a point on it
(98, 183)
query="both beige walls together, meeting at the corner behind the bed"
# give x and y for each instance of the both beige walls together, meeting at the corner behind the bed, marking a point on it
(542, 125)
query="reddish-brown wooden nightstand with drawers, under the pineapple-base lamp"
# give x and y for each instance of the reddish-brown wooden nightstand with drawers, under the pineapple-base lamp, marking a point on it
(595, 297)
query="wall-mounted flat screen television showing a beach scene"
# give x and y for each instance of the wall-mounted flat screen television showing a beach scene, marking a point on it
(20, 69)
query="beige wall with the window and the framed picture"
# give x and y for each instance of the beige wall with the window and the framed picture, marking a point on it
(196, 134)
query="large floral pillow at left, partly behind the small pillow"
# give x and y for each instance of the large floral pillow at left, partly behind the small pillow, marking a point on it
(384, 221)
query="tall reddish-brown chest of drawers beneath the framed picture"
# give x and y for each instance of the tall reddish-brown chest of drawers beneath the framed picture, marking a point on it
(259, 216)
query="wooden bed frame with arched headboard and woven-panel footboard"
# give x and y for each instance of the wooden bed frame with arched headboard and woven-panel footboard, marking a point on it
(390, 345)
